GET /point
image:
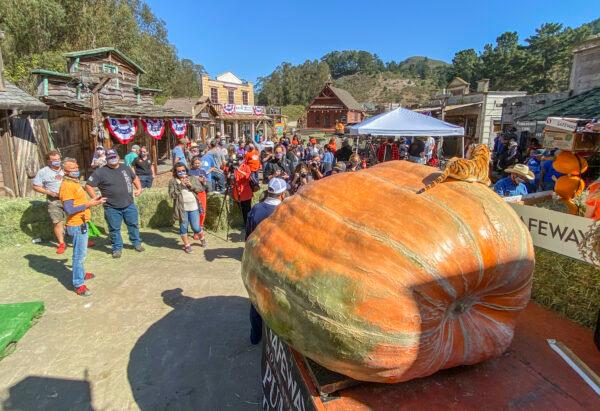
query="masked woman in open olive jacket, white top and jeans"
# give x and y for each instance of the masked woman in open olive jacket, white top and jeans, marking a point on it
(183, 189)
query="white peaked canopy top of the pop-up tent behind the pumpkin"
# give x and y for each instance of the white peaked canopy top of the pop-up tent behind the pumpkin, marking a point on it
(403, 122)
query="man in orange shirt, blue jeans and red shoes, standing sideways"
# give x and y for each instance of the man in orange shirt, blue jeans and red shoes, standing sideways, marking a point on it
(77, 207)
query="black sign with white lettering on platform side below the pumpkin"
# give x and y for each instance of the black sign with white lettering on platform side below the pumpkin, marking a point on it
(283, 386)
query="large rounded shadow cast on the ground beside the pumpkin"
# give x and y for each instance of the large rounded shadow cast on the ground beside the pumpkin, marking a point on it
(197, 357)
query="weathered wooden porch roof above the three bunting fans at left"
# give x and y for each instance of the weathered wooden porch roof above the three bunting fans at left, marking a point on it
(119, 108)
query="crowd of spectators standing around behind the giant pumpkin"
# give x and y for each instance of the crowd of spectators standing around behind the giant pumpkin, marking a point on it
(237, 168)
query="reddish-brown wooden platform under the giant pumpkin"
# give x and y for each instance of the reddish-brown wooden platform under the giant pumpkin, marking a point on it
(528, 376)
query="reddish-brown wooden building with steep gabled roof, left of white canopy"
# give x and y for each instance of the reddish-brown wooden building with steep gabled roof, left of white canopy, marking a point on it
(331, 105)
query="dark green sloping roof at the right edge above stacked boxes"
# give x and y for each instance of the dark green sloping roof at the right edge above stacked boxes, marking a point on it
(582, 106)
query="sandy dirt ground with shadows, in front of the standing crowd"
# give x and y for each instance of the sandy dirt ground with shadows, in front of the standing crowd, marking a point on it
(163, 329)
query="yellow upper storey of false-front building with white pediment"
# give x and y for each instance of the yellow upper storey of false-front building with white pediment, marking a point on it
(227, 88)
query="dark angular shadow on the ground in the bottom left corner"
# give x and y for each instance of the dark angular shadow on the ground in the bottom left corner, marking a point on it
(46, 393)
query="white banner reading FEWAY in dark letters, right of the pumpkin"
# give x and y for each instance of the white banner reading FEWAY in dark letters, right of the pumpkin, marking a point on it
(554, 231)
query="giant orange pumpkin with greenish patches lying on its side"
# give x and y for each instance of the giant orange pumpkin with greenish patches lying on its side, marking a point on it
(373, 281)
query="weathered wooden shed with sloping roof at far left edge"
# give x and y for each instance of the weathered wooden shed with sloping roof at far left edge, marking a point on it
(24, 138)
